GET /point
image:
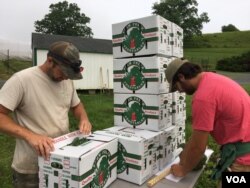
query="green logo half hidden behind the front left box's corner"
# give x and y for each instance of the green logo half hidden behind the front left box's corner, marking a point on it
(121, 162)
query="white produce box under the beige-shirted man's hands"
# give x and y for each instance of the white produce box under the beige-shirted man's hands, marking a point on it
(90, 162)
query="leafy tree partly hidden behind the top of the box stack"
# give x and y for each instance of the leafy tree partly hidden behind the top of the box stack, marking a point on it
(183, 13)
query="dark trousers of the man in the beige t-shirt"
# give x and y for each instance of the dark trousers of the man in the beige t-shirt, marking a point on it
(25, 180)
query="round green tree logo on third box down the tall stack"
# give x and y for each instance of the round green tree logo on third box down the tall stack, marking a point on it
(134, 113)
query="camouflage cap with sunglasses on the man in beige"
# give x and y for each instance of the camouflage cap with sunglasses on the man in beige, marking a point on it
(66, 55)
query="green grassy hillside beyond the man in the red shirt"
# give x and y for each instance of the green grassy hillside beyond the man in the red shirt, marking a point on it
(209, 48)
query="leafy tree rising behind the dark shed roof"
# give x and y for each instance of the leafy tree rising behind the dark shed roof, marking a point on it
(64, 19)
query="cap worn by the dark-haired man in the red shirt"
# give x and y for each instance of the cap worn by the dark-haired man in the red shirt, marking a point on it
(171, 70)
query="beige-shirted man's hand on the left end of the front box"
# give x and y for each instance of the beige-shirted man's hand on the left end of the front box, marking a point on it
(43, 145)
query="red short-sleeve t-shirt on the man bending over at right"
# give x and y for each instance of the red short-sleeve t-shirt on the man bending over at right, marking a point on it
(222, 107)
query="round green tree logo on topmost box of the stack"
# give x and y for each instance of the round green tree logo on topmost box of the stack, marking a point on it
(133, 38)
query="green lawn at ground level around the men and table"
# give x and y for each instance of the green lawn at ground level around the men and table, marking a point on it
(100, 110)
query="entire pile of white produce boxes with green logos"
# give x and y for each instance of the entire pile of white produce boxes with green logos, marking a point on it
(149, 120)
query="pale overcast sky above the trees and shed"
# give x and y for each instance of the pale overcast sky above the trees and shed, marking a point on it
(17, 17)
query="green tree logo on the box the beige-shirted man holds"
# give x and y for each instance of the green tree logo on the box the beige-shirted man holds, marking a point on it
(102, 169)
